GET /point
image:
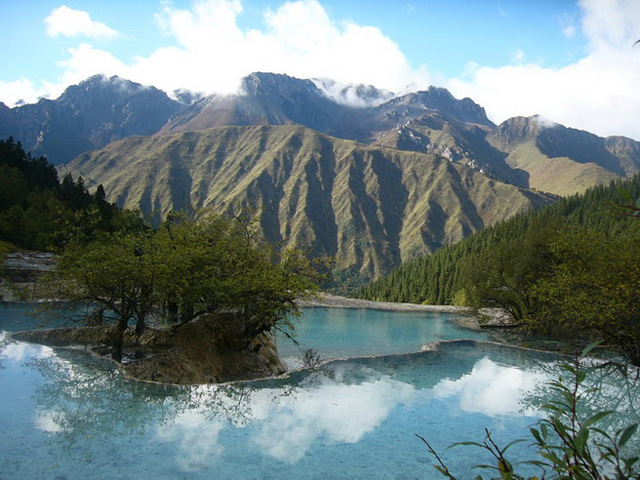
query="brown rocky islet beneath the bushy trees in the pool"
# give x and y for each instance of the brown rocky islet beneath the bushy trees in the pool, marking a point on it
(210, 349)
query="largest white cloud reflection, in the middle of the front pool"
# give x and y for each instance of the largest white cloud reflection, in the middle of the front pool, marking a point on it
(285, 427)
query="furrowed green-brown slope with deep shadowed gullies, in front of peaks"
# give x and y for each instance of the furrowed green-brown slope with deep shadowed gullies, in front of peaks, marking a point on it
(369, 208)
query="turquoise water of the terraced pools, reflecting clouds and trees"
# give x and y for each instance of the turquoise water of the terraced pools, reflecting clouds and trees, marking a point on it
(67, 415)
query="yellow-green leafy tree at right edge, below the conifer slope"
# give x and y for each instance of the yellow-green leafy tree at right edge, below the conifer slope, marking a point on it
(592, 291)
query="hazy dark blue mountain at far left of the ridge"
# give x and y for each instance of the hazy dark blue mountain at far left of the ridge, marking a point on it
(87, 116)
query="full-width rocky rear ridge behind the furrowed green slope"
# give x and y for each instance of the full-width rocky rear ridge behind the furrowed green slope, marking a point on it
(527, 152)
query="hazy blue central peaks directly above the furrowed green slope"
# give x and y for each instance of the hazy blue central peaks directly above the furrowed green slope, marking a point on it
(267, 98)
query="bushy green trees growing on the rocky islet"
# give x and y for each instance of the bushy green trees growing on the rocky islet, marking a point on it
(186, 268)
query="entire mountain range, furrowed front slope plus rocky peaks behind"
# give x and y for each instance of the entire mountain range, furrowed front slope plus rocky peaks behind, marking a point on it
(372, 181)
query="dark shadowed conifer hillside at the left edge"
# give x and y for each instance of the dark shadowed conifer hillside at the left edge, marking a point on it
(39, 212)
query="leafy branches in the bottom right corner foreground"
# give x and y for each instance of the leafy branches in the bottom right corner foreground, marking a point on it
(569, 445)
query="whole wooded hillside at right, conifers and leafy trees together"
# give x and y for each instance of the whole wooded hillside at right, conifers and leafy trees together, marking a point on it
(569, 271)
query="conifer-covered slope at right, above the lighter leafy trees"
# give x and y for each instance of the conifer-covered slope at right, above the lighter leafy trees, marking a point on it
(434, 279)
